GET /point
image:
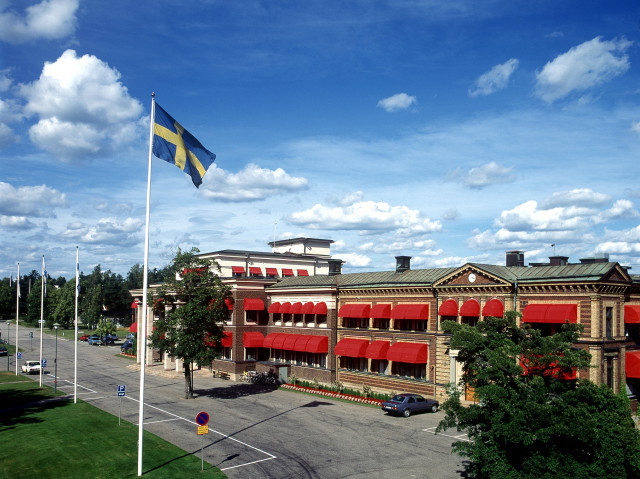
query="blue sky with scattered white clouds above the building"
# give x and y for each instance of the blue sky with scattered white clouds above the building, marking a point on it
(447, 131)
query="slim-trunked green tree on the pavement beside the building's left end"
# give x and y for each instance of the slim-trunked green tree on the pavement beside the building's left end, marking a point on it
(191, 312)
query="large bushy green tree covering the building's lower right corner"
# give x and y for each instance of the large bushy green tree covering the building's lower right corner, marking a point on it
(531, 420)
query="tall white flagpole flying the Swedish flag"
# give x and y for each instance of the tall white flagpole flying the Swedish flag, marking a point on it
(142, 329)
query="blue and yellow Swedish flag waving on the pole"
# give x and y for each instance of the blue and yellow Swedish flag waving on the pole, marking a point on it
(172, 143)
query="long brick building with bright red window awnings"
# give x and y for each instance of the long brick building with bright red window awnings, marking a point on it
(382, 329)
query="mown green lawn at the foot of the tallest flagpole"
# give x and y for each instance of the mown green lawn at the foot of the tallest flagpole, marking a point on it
(41, 437)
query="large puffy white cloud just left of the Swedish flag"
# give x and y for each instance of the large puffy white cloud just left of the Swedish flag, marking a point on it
(84, 110)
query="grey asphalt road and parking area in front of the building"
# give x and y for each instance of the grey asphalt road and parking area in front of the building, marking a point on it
(255, 432)
